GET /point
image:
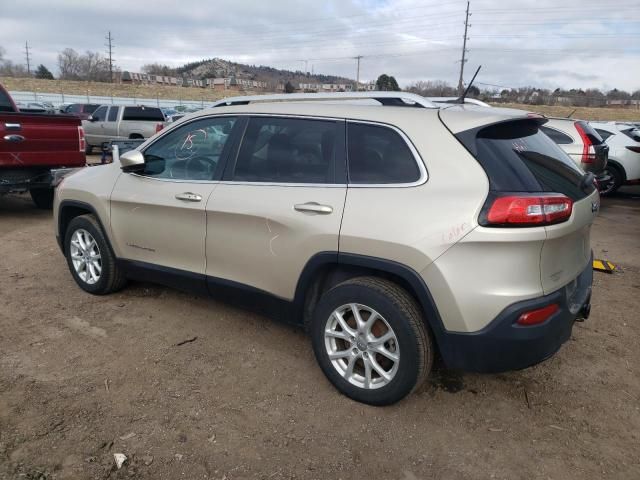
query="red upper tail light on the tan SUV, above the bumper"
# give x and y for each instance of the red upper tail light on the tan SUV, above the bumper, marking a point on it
(526, 210)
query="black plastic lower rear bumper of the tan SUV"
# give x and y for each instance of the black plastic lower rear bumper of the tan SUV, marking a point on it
(504, 345)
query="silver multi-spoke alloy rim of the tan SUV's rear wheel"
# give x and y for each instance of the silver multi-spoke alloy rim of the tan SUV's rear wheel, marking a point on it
(362, 346)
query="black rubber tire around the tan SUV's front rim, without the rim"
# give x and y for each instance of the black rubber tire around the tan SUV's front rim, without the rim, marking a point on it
(111, 277)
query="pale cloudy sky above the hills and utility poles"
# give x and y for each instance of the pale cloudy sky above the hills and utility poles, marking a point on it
(542, 43)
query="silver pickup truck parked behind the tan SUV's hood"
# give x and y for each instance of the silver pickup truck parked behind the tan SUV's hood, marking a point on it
(119, 122)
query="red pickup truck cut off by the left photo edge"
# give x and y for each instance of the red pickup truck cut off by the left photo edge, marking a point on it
(32, 145)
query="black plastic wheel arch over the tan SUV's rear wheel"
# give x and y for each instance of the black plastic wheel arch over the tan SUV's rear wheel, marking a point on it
(327, 269)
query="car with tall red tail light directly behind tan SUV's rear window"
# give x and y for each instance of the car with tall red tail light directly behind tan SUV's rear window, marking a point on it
(582, 143)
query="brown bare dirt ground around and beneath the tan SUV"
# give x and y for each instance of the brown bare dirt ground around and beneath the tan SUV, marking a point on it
(84, 377)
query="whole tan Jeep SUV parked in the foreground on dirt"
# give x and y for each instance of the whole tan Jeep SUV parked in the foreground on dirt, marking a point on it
(391, 232)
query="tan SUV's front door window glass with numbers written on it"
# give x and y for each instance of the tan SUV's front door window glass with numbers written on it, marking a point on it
(190, 152)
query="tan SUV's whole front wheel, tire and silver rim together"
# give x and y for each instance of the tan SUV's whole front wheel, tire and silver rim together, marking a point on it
(91, 262)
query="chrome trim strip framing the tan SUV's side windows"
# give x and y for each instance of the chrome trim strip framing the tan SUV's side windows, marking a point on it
(424, 175)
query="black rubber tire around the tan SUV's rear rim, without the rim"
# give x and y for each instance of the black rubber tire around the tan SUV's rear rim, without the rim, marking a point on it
(401, 313)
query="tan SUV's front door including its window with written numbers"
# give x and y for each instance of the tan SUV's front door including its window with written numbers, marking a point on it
(158, 216)
